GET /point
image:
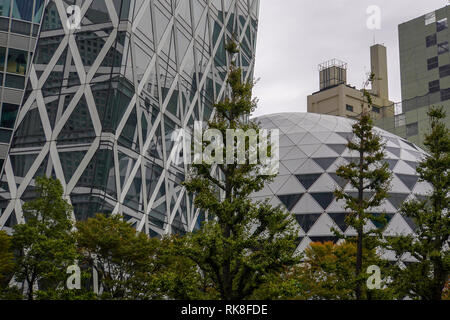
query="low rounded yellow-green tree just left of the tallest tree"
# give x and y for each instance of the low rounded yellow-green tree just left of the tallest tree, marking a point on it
(124, 259)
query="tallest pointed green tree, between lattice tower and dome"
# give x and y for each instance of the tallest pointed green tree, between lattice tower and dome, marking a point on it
(244, 243)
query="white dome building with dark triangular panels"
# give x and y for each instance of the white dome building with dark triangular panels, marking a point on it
(312, 147)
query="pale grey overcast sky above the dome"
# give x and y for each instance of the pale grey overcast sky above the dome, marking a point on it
(295, 36)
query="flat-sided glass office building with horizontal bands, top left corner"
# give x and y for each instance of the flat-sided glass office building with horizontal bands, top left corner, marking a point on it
(19, 27)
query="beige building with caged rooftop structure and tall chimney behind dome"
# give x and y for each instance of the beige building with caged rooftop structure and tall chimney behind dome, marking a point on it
(337, 98)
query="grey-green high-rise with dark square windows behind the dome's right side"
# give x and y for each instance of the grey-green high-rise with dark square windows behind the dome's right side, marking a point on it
(425, 74)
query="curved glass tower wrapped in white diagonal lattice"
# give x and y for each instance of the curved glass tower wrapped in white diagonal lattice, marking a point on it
(110, 84)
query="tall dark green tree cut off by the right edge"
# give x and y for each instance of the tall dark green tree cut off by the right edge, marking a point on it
(426, 278)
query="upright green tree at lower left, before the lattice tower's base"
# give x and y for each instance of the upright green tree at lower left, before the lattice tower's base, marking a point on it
(44, 244)
